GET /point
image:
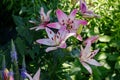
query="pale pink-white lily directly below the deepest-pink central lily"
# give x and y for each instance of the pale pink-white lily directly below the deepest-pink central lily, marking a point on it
(55, 40)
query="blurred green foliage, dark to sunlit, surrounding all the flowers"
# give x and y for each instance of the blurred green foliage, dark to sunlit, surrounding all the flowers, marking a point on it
(60, 64)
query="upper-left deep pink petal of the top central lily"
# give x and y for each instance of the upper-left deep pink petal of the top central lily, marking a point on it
(62, 17)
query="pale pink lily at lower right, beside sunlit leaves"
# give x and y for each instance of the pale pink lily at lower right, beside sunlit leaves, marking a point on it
(86, 57)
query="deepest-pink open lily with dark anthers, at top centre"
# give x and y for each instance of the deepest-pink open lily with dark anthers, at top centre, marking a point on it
(69, 21)
